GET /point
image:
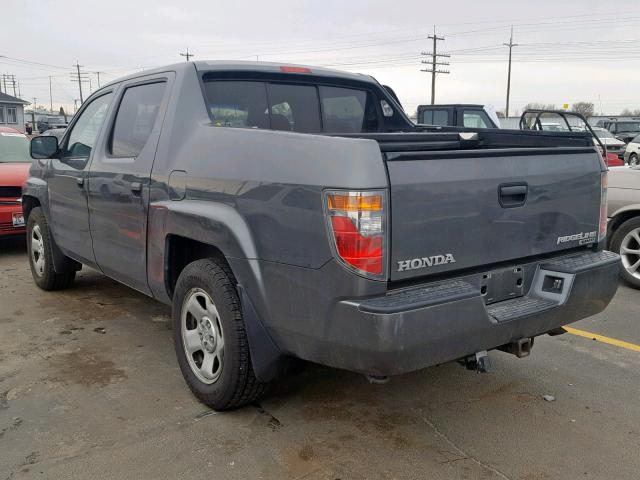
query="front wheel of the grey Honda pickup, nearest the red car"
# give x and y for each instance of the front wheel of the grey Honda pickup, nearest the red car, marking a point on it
(45, 276)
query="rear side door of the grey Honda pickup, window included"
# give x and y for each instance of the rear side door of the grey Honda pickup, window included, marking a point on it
(119, 180)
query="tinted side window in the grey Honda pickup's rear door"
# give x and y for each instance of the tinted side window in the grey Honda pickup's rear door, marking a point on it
(135, 119)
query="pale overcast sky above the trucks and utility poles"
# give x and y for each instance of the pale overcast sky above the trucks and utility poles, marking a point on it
(569, 51)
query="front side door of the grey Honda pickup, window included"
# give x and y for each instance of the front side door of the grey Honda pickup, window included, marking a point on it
(67, 180)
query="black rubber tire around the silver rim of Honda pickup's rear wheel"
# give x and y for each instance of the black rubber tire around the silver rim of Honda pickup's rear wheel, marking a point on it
(236, 385)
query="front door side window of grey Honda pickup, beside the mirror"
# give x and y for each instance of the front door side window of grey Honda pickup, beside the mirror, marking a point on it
(84, 133)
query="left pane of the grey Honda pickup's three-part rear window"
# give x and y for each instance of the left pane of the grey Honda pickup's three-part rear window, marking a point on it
(237, 104)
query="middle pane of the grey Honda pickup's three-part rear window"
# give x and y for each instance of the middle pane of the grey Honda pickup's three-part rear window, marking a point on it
(294, 108)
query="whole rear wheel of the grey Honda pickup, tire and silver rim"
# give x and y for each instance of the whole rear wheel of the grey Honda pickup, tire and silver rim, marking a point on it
(210, 337)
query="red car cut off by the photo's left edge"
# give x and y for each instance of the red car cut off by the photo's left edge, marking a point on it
(14, 170)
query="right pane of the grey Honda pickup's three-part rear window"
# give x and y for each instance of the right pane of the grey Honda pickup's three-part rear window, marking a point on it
(347, 110)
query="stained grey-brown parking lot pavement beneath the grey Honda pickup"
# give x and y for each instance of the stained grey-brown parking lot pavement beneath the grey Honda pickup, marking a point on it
(89, 388)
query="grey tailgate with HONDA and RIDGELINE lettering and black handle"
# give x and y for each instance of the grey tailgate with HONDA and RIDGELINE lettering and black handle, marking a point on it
(452, 210)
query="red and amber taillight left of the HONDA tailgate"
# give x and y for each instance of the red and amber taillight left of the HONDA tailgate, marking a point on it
(357, 227)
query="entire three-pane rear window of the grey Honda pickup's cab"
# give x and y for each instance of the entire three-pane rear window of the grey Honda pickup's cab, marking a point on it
(290, 107)
